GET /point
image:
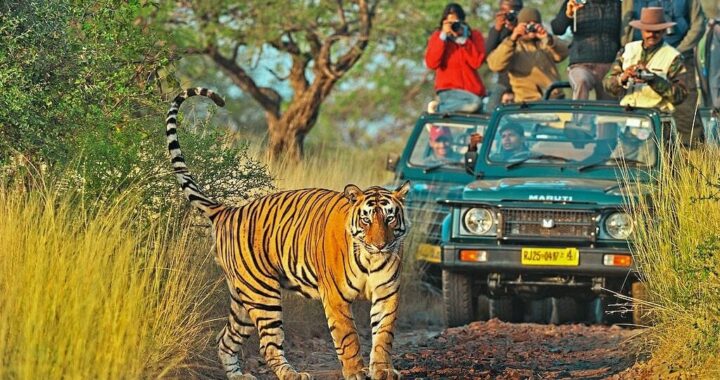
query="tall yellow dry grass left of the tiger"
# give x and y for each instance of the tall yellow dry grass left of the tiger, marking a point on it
(89, 293)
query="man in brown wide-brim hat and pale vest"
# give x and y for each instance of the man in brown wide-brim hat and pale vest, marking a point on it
(648, 73)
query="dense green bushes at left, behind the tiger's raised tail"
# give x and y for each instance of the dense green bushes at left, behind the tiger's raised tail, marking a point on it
(82, 83)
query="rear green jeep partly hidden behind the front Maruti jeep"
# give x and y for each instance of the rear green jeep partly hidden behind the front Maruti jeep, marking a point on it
(434, 175)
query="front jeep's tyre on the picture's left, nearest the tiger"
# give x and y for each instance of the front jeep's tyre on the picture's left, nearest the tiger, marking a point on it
(458, 298)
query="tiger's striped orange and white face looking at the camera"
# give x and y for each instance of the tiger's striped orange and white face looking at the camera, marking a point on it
(377, 220)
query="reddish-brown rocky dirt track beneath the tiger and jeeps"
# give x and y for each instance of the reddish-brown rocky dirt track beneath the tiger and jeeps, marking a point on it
(481, 350)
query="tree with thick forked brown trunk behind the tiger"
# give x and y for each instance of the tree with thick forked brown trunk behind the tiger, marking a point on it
(320, 42)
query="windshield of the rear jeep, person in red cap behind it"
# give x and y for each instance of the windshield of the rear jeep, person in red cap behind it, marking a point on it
(442, 145)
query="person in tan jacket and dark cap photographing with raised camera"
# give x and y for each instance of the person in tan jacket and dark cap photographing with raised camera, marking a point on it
(529, 55)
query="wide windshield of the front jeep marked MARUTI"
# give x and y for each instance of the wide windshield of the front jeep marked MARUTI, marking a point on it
(574, 138)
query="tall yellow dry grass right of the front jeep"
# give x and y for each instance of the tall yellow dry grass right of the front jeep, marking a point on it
(677, 249)
